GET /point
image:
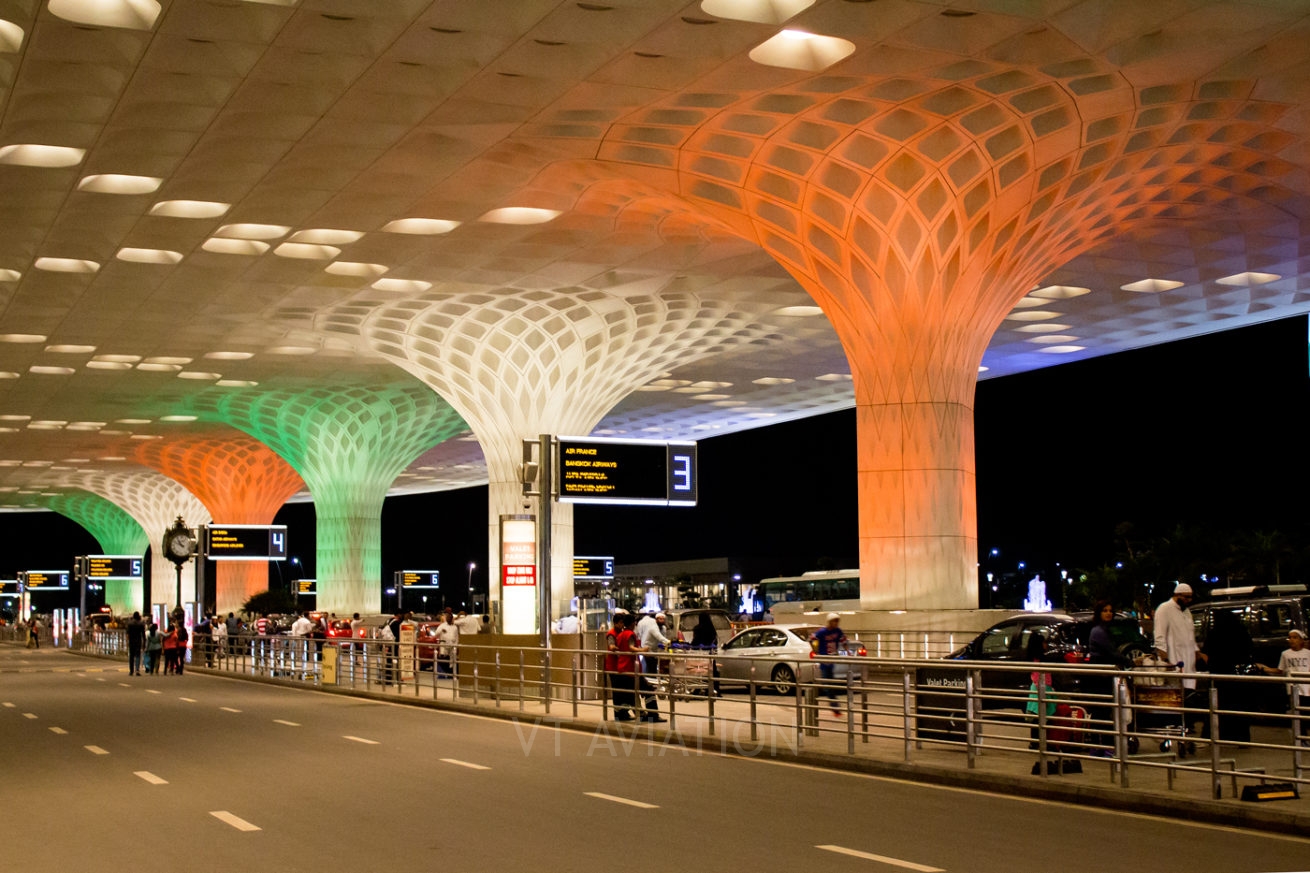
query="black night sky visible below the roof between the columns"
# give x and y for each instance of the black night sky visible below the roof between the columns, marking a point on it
(1208, 431)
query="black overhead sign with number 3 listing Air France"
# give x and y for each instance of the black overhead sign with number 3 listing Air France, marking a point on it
(627, 471)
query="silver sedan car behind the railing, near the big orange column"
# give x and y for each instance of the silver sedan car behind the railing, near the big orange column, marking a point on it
(780, 653)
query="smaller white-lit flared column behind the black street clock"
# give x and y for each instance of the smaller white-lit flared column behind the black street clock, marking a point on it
(154, 501)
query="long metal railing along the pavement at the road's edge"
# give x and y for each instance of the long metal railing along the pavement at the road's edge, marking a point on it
(1138, 724)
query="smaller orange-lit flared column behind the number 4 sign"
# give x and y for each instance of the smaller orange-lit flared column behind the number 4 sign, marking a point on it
(242, 482)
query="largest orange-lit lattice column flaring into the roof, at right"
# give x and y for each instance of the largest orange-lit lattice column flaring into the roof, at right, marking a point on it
(918, 210)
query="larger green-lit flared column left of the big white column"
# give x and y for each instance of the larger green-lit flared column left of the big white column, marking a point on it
(349, 445)
